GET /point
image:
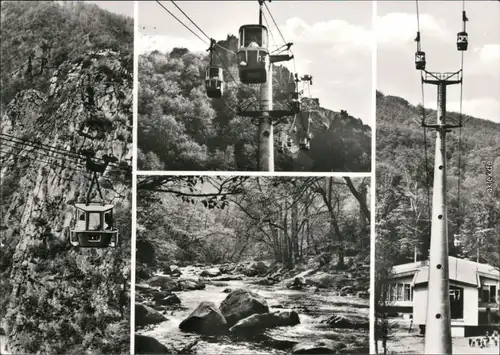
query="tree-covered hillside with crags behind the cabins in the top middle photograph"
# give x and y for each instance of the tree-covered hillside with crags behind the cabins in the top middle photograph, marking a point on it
(180, 128)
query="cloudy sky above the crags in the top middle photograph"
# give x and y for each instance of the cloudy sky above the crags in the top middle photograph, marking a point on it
(332, 41)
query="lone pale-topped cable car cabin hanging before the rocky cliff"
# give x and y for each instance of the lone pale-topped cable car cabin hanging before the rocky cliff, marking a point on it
(94, 226)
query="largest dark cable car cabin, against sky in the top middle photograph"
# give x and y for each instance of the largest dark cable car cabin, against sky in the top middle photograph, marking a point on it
(253, 54)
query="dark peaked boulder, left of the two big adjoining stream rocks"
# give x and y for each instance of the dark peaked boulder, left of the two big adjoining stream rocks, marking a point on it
(205, 319)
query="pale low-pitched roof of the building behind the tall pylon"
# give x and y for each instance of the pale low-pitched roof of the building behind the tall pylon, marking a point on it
(460, 270)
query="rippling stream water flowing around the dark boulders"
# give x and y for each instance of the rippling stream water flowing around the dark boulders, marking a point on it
(311, 307)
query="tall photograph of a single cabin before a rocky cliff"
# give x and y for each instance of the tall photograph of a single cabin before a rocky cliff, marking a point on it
(66, 176)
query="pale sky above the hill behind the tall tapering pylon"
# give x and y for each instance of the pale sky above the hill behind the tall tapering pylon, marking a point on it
(439, 23)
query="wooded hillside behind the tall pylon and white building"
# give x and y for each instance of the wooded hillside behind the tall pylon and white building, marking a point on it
(402, 205)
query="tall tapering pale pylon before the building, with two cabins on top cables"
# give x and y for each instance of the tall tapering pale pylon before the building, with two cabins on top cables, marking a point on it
(438, 316)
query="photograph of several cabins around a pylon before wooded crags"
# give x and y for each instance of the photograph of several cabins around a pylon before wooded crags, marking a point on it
(255, 86)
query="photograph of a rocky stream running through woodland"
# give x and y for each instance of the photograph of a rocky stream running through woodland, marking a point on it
(252, 265)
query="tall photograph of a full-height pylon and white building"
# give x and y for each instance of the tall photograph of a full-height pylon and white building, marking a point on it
(437, 263)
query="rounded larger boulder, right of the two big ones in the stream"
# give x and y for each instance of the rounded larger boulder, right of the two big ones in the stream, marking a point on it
(240, 304)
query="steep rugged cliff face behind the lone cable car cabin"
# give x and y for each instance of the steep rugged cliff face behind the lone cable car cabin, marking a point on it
(59, 298)
